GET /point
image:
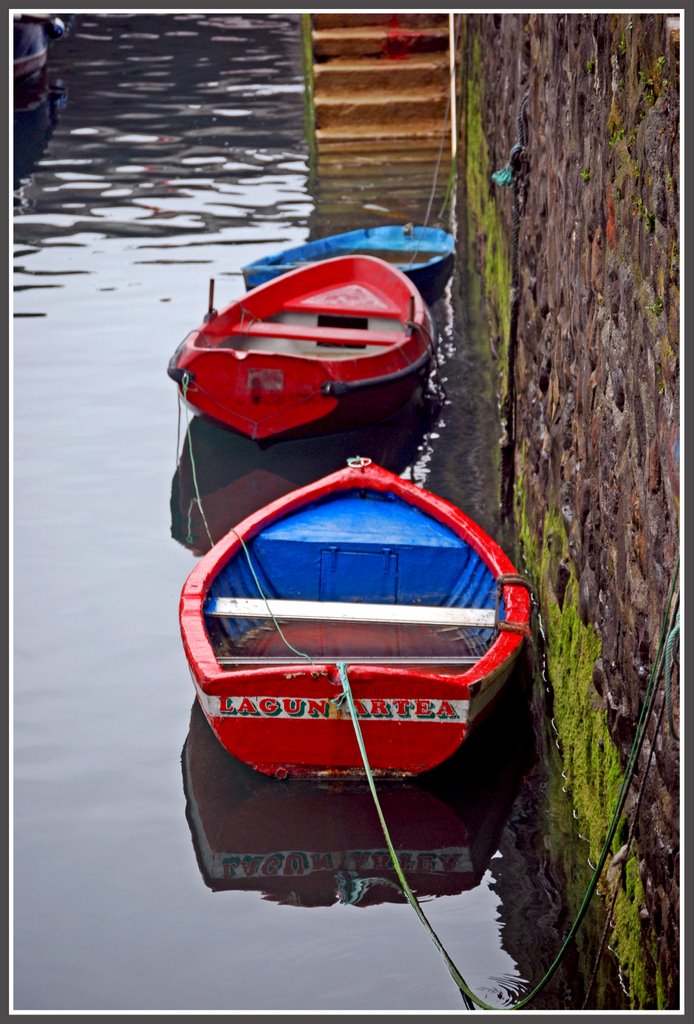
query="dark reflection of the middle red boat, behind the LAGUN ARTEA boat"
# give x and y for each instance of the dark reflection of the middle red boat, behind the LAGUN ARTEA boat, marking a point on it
(237, 476)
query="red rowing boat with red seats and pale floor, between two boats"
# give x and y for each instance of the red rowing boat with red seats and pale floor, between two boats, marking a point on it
(329, 347)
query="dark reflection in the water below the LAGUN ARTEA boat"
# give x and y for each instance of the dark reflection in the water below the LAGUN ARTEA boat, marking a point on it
(318, 843)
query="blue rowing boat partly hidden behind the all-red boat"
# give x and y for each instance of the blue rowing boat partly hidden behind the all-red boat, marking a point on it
(424, 254)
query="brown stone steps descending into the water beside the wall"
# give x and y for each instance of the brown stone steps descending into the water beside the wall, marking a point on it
(381, 90)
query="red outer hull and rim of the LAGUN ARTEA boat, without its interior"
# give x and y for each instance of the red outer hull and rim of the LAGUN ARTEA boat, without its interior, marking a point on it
(286, 719)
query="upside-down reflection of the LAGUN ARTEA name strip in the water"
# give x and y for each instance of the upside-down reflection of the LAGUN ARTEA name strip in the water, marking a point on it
(292, 864)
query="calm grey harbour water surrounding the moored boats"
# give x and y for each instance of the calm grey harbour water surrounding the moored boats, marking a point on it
(160, 152)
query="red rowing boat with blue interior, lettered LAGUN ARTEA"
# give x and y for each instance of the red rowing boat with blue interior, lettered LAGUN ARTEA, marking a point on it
(363, 574)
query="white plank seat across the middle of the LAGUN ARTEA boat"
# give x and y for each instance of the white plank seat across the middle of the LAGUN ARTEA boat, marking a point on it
(246, 608)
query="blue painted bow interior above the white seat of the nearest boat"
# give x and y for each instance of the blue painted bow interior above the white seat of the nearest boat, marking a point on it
(361, 546)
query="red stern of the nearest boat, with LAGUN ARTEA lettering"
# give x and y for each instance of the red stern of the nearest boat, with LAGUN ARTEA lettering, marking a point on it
(293, 723)
